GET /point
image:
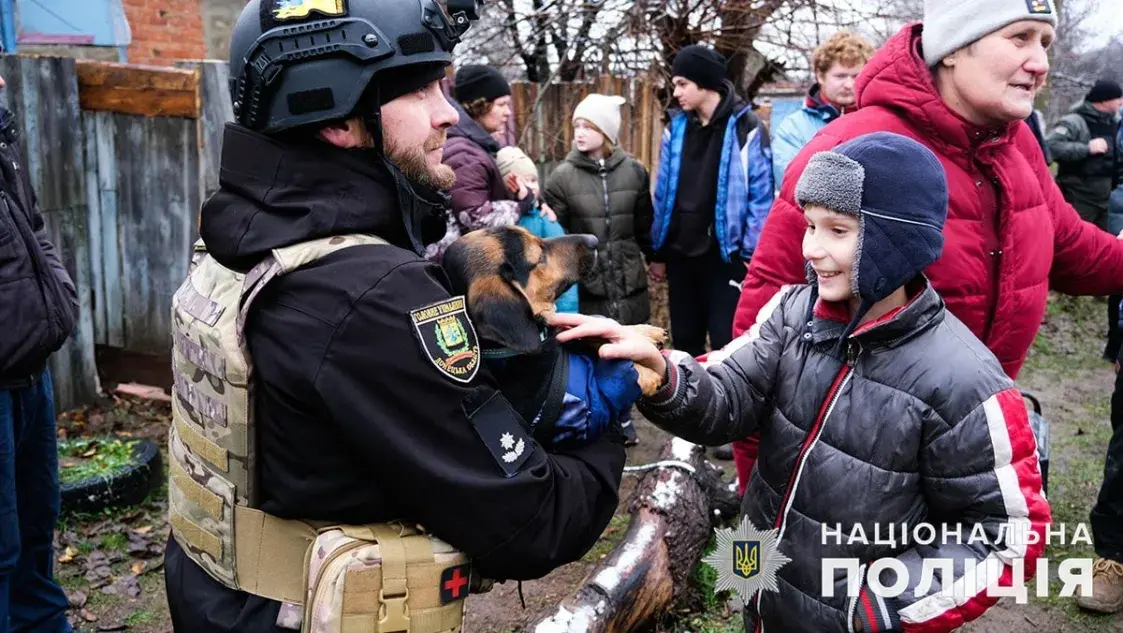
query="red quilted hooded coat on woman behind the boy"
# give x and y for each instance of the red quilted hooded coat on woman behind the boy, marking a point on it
(1010, 235)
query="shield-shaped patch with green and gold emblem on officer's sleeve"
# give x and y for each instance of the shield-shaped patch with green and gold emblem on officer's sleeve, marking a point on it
(449, 338)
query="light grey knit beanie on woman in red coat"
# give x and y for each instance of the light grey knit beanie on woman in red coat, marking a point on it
(949, 25)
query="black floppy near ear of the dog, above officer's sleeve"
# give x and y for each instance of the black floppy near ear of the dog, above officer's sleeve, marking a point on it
(503, 316)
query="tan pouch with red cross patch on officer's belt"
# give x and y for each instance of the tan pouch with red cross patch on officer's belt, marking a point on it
(385, 577)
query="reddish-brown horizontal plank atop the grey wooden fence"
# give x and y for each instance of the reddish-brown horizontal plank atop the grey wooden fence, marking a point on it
(148, 91)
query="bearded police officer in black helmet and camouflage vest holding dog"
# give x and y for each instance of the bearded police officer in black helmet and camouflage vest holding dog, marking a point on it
(368, 402)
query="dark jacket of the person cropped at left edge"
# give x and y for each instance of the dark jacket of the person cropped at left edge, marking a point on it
(39, 302)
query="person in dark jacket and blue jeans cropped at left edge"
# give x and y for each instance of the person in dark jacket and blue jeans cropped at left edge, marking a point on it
(39, 307)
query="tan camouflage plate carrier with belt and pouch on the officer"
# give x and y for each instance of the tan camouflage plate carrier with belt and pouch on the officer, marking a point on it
(369, 579)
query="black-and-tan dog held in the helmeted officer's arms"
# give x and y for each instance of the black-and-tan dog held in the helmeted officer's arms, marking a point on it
(513, 279)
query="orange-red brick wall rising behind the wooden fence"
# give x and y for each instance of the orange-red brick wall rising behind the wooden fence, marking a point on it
(166, 31)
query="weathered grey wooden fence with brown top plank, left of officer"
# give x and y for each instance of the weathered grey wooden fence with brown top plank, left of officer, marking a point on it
(121, 163)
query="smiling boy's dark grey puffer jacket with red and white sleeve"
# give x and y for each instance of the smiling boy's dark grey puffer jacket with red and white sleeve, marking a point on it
(919, 426)
